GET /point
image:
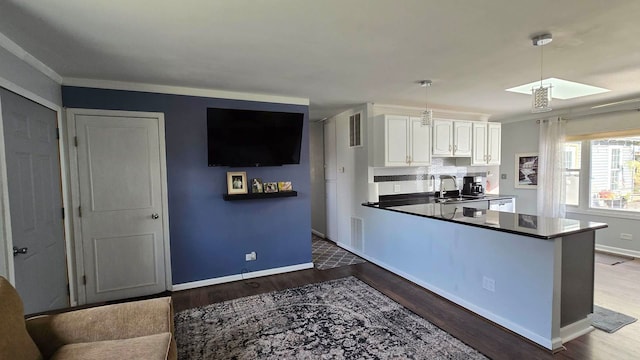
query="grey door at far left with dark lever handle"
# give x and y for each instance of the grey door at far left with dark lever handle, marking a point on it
(35, 202)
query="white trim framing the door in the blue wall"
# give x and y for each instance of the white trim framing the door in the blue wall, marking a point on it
(75, 189)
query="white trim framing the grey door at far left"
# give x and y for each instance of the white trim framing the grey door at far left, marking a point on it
(4, 191)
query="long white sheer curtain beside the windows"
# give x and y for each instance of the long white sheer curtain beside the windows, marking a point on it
(551, 181)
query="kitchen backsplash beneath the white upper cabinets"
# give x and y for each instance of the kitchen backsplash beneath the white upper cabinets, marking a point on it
(393, 181)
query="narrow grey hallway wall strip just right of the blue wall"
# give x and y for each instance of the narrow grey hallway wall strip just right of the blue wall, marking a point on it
(316, 159)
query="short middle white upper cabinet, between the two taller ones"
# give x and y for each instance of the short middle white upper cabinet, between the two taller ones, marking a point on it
(452, 138)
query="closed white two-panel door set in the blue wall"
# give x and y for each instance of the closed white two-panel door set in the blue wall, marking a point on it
(122, 215)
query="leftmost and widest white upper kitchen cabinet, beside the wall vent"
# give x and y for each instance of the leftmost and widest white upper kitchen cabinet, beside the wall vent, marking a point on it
(402, 141)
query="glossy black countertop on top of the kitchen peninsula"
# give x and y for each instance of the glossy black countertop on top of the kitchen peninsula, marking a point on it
(515, 223)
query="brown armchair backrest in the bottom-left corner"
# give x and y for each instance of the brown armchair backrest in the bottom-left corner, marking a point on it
(15, 342)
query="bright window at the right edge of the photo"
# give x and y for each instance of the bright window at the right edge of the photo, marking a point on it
(615, 173)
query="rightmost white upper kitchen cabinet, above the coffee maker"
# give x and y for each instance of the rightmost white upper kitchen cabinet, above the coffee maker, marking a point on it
(486, 143)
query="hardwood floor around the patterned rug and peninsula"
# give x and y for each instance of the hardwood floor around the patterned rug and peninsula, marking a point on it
(485, 336)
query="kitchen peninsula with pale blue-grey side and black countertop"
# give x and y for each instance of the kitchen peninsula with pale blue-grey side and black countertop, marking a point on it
(530, 274)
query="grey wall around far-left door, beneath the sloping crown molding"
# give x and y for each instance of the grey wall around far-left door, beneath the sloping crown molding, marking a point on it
(18, 76)
